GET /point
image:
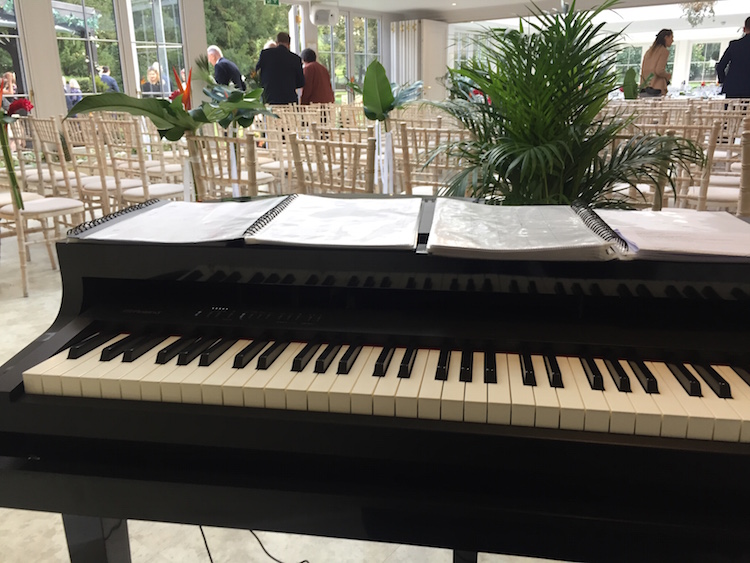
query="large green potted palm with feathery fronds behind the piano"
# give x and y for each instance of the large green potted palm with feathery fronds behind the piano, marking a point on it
(533, 99)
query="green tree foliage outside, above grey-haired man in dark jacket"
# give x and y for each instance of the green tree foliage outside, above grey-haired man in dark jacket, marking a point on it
(241, 29)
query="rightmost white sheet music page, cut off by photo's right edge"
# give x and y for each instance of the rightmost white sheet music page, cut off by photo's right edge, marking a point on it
(682, 234)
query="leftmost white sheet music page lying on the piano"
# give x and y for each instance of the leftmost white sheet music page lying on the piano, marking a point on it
(184, 222)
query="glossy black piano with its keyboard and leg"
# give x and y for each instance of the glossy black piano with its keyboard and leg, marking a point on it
(592, 411)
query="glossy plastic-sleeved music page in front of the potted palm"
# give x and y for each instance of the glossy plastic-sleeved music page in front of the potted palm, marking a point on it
(531, 232)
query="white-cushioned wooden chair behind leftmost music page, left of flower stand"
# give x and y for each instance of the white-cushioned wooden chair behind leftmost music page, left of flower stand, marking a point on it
(126, 152)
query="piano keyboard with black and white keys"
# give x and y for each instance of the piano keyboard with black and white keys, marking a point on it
(704, 402)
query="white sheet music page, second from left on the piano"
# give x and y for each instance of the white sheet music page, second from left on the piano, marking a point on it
(362, 222)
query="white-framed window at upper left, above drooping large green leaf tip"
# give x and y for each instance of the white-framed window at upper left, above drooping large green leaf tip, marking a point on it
(86, 41)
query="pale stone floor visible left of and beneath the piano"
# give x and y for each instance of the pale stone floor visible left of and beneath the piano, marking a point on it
(33, 537)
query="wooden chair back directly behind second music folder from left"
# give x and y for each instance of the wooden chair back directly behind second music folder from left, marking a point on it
(329, 166)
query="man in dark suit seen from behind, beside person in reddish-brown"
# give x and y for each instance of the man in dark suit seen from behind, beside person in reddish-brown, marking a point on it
(280, 72)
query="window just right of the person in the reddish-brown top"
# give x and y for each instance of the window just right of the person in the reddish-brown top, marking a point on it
(347, 50)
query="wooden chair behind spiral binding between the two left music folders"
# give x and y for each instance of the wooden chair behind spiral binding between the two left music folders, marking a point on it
(225, 167)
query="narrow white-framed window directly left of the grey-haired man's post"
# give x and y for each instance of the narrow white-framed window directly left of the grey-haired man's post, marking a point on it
(158, 43)
